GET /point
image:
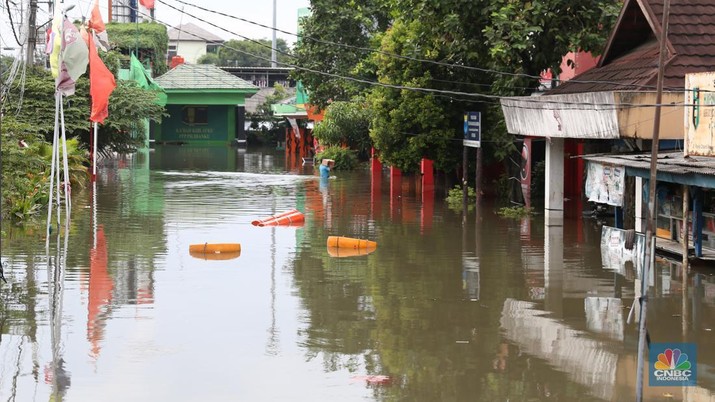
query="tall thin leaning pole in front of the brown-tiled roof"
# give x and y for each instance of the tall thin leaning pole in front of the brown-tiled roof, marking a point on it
(651, 224)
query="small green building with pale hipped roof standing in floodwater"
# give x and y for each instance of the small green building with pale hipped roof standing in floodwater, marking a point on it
(204, 103)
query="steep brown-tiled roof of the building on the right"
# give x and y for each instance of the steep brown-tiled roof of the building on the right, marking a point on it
(630, 59)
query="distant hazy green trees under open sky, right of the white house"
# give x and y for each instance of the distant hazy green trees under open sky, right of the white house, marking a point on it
(243, 53)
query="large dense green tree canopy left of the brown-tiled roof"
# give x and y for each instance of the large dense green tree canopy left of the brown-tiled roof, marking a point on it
(432, 61)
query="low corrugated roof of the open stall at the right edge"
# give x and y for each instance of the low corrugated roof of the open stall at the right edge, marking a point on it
(669, 162)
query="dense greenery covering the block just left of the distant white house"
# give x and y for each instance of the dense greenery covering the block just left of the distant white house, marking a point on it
(149, 39)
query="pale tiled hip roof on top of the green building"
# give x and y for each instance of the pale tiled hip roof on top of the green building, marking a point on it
(203, 76)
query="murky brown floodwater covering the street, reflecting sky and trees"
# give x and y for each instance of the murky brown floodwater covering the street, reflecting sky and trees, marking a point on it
(493, 309)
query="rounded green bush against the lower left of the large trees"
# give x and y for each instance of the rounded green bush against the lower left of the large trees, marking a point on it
(346, 123)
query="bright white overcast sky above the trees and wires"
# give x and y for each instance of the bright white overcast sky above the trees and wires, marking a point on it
(258, 11)
